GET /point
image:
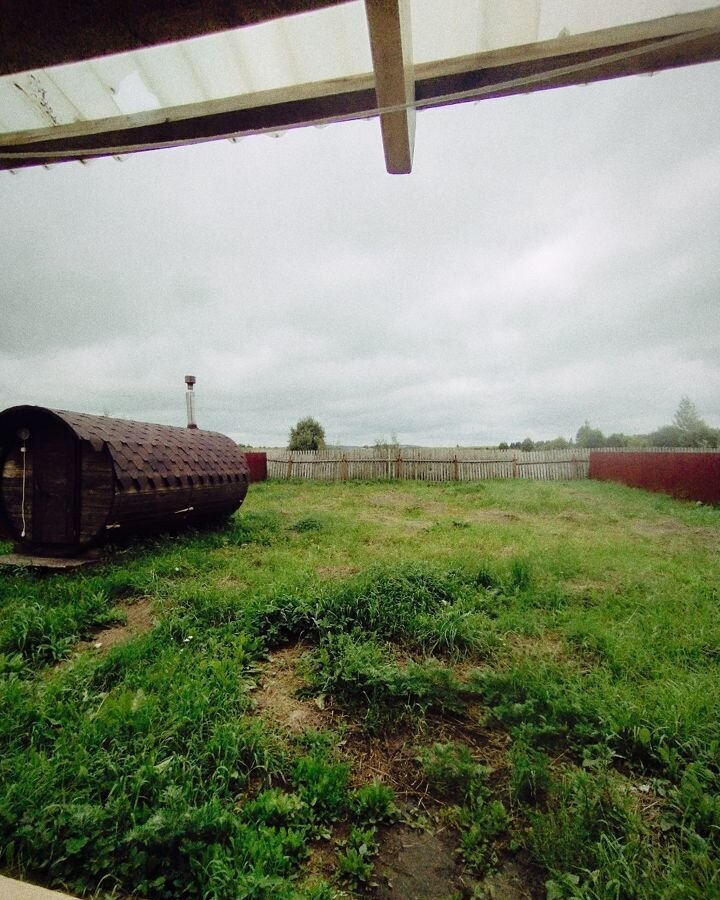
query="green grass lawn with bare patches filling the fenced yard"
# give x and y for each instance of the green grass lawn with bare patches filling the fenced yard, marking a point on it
(507, 689)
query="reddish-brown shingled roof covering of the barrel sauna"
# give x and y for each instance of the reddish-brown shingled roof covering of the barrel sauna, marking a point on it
(141, 451)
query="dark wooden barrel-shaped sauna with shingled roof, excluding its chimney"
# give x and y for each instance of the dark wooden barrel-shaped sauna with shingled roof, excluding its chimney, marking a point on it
(68, 480)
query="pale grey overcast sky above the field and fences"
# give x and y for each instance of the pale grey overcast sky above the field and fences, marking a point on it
(553, 258)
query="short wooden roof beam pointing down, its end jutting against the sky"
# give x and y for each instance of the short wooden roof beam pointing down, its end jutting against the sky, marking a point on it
(391, 47)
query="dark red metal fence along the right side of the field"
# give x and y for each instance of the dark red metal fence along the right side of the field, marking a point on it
(688, 476)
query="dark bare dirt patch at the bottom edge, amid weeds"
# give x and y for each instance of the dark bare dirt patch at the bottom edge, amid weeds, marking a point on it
(416, 865)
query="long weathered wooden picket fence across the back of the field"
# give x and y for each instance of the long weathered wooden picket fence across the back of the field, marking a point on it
(426, 464)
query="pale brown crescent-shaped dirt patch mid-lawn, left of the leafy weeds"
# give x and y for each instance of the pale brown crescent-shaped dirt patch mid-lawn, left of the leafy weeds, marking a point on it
(277, 698)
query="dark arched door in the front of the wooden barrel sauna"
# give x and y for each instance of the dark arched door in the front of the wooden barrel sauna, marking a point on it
(55, 489)
